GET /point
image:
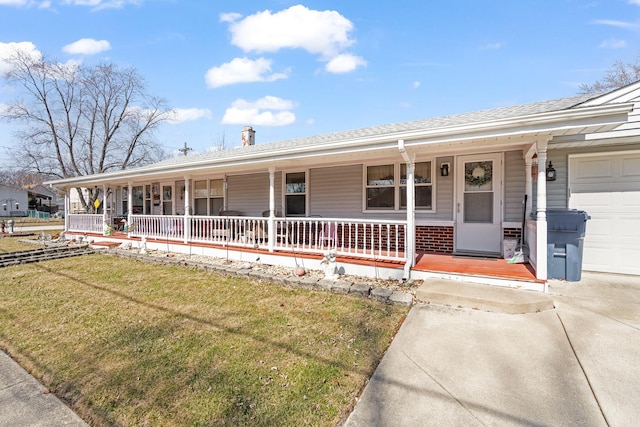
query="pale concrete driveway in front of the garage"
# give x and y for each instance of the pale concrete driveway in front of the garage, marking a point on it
(575, 364)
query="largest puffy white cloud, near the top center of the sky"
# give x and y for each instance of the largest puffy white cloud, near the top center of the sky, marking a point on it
(318, 32)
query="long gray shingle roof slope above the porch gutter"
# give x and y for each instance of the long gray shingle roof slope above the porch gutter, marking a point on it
(381, 130)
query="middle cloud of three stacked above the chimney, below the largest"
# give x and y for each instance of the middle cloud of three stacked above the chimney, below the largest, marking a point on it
(242, 70)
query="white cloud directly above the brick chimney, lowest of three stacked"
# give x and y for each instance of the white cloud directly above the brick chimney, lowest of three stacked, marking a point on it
(267, 111)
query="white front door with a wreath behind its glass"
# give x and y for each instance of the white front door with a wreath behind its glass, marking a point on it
(478, 207)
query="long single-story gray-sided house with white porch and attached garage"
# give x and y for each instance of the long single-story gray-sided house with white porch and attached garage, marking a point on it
(446, 185)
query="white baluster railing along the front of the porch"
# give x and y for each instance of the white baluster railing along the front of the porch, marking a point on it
(350, 237)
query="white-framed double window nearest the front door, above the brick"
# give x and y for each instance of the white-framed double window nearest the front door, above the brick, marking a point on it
(386, 186)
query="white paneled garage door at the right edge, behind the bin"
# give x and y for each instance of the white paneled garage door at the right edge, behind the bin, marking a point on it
(607, 187)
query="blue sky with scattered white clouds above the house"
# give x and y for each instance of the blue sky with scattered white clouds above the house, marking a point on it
(292, 69)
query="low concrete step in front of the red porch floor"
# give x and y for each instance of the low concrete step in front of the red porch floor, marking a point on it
(482, 297)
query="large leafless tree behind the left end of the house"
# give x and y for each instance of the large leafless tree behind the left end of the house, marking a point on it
(81, 120)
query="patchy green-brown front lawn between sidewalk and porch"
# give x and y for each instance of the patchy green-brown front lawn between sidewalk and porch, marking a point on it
(129, 343)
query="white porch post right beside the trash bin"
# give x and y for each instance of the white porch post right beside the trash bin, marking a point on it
(541, 214)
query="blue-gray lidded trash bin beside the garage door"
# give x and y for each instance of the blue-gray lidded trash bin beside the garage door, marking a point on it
(566, 229)
